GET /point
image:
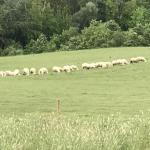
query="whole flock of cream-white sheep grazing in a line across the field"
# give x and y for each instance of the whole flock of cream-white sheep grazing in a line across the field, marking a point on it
(70, 68)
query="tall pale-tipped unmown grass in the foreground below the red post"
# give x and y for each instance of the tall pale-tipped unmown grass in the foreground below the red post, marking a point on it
(55, 132)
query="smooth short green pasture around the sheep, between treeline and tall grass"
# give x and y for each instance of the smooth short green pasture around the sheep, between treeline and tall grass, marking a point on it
(124, 89)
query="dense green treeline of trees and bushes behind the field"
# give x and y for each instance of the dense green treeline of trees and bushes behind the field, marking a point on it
(36, 26)
